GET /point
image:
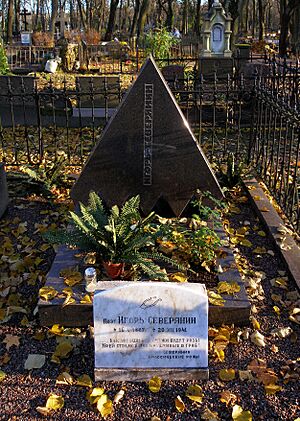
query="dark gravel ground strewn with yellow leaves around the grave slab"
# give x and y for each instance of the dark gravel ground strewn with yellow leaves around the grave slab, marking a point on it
(254, 370)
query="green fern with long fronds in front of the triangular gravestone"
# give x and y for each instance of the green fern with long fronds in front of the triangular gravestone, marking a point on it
(121, 236)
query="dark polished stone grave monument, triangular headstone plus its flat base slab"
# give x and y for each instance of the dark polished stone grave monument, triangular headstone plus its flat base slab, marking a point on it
(140, 158)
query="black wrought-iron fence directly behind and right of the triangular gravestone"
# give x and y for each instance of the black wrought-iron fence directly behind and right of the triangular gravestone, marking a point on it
(256, 117)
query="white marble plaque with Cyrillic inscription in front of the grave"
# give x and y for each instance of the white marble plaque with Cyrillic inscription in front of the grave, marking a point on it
(151, 325)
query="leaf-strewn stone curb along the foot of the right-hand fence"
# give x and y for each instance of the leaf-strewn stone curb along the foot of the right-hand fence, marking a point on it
(272, 221)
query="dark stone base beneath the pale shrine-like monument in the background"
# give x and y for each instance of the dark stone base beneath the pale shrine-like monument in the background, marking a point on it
(221, 65)
